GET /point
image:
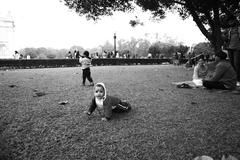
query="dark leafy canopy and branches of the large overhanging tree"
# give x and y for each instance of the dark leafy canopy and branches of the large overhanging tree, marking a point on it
(208, 15)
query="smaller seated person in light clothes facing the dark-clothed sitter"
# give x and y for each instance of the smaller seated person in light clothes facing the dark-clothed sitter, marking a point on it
(200, 70)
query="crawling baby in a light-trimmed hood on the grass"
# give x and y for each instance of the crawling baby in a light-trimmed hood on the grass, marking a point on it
(106, 104)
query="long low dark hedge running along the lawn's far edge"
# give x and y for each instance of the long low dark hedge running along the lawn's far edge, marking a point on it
(43, 63)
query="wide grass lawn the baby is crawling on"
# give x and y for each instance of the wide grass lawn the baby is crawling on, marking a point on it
(165, 123)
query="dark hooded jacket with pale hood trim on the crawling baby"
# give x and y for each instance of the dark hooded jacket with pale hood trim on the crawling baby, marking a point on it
(109, 102)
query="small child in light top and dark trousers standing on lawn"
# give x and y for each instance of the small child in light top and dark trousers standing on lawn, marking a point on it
(85, 61)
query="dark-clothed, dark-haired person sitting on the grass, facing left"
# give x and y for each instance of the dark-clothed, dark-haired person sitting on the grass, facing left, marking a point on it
(224, 76)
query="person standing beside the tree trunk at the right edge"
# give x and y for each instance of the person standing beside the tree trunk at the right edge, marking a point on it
(234, 45)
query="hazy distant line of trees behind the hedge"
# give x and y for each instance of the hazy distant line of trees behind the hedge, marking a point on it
(134, 48)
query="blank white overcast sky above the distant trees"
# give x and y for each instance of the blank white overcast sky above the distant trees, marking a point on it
(49, 23)
